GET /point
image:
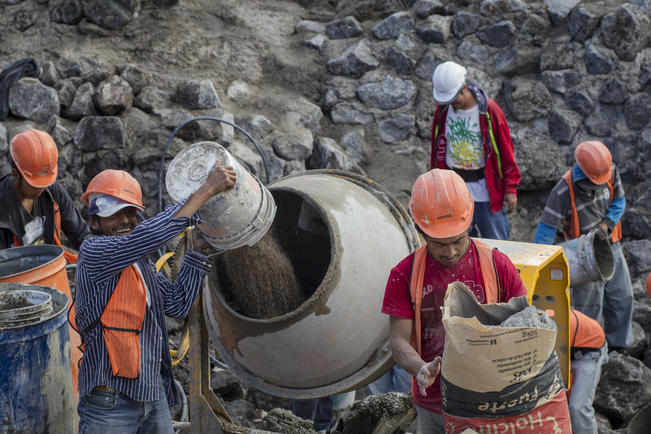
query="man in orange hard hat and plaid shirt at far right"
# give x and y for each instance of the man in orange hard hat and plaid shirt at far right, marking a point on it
(590, 197)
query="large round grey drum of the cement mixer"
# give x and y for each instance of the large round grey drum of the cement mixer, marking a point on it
(345, 233)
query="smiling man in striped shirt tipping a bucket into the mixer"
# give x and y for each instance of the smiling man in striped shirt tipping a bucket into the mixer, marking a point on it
(125, 379)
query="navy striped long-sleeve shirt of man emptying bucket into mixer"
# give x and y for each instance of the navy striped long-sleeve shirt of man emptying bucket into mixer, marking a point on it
(101, 260)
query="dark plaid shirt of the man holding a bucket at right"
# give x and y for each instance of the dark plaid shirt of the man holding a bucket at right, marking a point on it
(592, 204)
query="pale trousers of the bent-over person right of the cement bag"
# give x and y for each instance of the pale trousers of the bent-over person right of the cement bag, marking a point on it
(586, 372)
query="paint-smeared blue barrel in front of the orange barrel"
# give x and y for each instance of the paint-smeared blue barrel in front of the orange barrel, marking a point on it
(36, 393)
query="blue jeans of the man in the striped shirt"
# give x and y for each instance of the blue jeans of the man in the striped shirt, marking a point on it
(115, 413)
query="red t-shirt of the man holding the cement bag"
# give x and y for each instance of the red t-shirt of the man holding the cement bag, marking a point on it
(397, 302)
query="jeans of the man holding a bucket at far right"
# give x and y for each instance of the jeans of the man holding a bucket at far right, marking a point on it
(613, 300)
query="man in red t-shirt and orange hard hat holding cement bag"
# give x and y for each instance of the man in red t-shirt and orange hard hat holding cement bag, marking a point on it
(442, 208)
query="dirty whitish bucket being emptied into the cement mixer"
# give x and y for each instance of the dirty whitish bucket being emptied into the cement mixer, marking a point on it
(234, 218)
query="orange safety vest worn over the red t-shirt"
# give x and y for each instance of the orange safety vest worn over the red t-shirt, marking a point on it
(494, 291)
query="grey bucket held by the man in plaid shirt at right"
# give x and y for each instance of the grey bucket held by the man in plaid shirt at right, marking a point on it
(590, 257)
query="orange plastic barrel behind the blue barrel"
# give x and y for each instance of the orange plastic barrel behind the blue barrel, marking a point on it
(42, 265)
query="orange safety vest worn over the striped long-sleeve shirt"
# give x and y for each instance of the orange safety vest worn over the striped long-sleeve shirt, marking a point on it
(121, 323)
